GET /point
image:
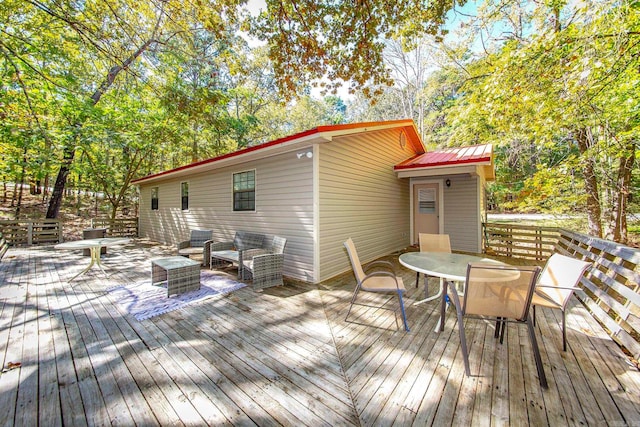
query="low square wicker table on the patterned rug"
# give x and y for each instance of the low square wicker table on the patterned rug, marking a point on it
(181, 274)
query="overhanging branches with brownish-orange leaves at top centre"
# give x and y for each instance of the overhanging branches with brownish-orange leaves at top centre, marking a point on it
(341, 41)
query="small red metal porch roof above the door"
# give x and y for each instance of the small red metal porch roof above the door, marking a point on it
(478, 154)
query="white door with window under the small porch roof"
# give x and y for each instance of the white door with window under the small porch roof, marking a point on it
(426, 209)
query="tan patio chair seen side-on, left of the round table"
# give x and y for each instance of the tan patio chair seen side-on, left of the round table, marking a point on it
(383, 280)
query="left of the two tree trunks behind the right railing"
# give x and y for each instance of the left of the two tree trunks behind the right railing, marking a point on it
(594, 212)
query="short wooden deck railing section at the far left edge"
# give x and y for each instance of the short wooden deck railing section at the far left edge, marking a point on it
(31, 232)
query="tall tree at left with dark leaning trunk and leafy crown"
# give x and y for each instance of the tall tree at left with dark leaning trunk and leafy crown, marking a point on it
(110, 39)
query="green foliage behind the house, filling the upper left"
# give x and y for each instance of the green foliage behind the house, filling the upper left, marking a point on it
(112, 91)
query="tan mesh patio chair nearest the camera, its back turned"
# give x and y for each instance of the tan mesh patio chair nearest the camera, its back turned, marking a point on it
(501, 293)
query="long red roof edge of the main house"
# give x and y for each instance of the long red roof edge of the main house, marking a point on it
(335, 130)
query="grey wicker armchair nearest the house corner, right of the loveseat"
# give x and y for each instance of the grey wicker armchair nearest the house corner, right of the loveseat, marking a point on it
(264, 266)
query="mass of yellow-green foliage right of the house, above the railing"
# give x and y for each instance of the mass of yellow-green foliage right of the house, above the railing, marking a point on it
(560, 92)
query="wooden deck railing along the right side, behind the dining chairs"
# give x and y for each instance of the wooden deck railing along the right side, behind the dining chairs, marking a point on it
(610, 289)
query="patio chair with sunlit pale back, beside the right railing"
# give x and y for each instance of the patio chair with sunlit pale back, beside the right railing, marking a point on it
(557, 282)
